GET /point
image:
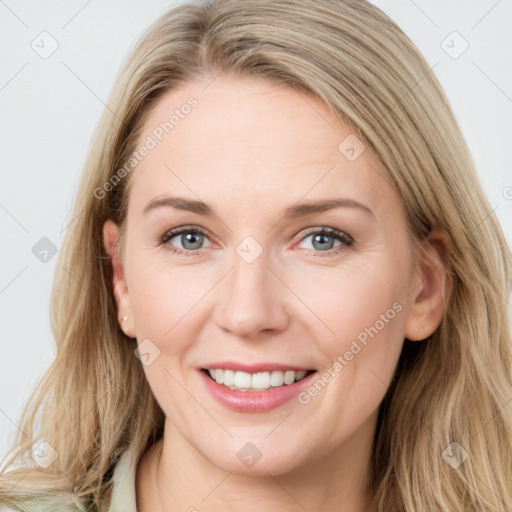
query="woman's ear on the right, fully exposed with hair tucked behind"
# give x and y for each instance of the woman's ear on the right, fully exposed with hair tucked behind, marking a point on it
(430, 288)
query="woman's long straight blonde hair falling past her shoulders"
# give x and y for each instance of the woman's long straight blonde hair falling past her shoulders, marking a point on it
(94, 401)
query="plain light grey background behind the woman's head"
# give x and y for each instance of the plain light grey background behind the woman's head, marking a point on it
(50, 107)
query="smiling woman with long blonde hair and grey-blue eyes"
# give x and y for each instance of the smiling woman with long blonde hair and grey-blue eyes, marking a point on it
(211, 353)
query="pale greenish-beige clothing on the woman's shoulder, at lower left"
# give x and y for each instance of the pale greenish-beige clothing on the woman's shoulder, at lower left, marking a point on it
(123, 489)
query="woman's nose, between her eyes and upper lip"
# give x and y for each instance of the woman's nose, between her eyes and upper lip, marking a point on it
(251, 299)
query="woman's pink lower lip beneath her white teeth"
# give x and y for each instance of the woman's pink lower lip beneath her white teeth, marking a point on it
(254, 401)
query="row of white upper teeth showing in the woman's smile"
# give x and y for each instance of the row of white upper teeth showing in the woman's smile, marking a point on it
(244, 381)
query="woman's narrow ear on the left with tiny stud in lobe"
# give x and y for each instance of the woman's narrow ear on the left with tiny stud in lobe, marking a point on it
(119, 286)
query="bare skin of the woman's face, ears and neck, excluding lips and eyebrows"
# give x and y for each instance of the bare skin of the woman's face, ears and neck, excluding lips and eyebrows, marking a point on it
(250, 149)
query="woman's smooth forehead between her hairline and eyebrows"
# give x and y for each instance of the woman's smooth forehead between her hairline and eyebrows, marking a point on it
(255, 141)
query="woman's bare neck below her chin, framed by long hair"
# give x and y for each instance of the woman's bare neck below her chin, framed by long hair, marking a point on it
(172, 475)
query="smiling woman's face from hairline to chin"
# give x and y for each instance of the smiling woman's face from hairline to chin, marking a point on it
(252, 284)
